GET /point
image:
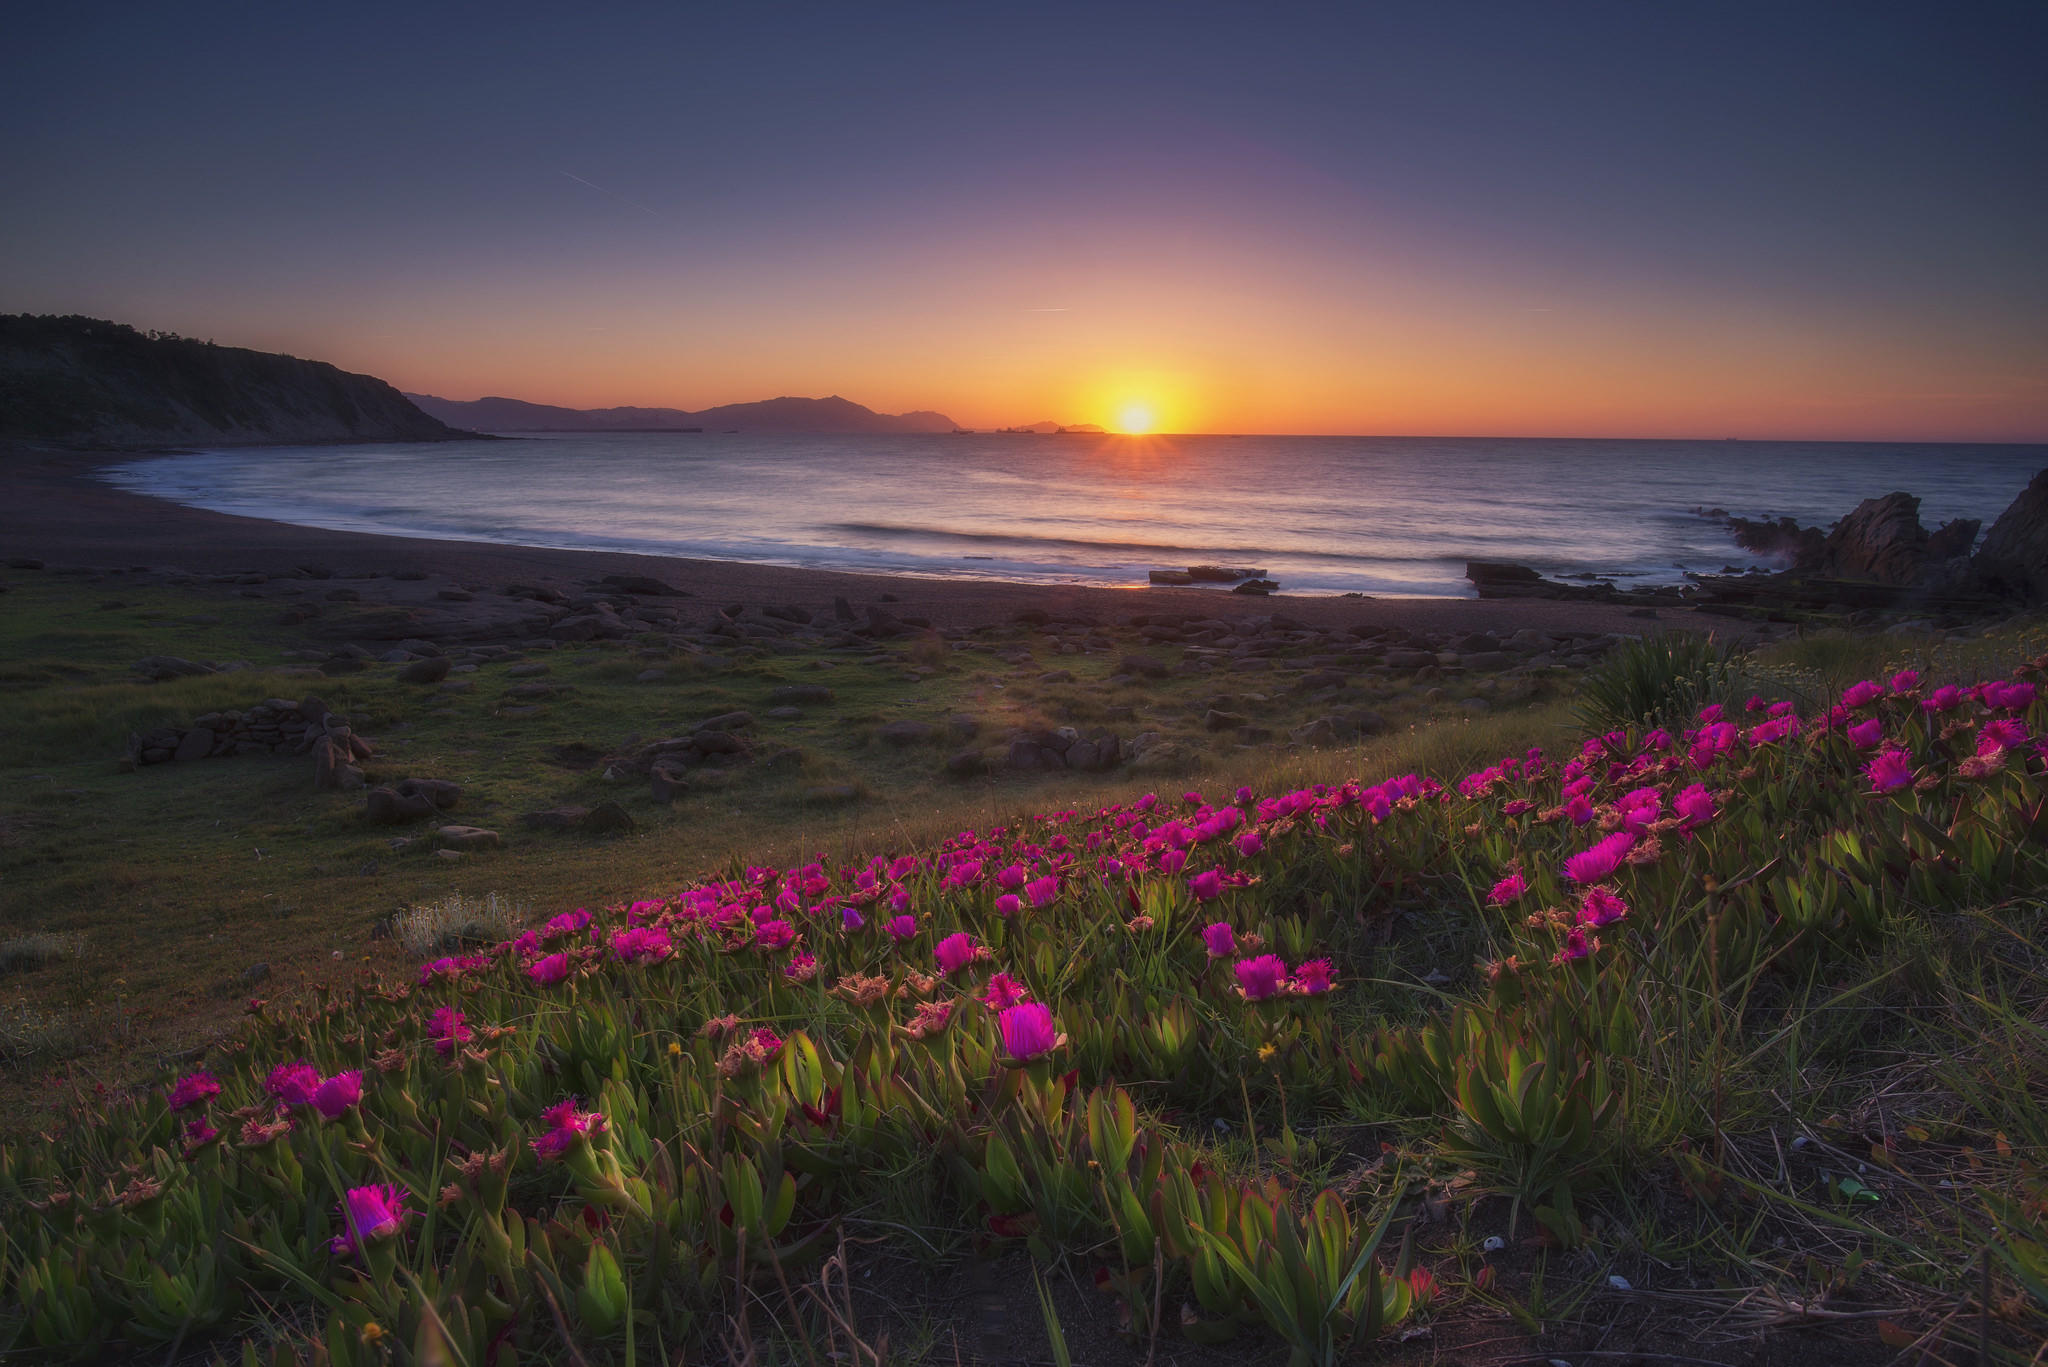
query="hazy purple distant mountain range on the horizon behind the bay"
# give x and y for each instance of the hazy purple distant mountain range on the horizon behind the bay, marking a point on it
(783, 415)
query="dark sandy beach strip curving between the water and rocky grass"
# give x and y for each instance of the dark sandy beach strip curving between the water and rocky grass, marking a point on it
(56, 509)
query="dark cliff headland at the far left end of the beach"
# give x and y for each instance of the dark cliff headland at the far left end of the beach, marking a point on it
(101, 384)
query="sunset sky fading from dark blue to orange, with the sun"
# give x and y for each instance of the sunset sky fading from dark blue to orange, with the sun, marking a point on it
(1572, 220)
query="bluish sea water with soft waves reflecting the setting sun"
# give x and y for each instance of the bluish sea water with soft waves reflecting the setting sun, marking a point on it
(1324, 515)
